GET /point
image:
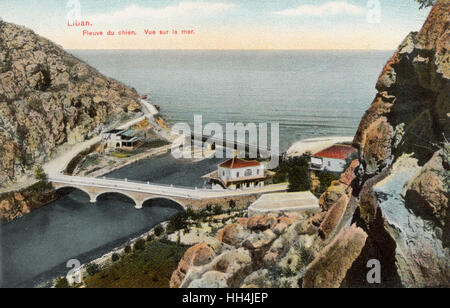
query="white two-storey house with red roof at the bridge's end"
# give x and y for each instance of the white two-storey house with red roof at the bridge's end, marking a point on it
(237, 174)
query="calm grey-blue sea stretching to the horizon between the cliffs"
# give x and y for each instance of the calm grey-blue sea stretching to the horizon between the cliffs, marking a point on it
(309, 93)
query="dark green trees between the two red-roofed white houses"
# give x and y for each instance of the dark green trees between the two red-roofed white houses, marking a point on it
(294, 170)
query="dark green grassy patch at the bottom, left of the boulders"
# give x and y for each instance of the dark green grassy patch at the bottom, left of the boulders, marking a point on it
(150, 267)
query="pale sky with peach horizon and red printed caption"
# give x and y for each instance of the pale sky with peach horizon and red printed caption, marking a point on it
(221, 24)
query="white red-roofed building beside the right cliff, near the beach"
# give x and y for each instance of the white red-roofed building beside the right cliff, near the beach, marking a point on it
(332, 159)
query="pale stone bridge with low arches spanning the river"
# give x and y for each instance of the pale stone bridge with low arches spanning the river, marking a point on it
(141, 192)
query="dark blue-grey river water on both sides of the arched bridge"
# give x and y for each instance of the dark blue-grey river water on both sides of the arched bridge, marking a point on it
(36, 247)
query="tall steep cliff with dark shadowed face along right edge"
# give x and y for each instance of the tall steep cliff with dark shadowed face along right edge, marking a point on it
(402, 181)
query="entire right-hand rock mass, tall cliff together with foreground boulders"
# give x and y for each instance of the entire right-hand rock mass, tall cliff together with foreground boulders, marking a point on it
(389, 208)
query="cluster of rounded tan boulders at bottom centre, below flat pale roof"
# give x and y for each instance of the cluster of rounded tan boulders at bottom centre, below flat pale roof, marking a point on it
(270, 254)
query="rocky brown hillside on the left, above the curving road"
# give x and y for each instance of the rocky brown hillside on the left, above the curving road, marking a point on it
(49, 98)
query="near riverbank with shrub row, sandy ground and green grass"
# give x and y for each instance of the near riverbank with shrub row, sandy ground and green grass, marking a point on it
(129, 265)
